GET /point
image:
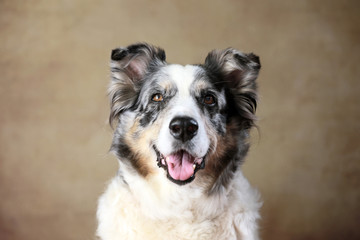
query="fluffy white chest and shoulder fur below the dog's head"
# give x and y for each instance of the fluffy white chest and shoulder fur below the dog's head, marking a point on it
(140, 210)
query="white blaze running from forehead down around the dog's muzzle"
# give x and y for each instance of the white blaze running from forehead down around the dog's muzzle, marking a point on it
(184, 105)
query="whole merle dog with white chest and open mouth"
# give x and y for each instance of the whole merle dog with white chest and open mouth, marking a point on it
(181, 135)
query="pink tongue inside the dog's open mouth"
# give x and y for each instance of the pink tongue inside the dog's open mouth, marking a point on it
(180, 165)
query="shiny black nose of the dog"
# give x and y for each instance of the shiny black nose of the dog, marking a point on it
(183, 128)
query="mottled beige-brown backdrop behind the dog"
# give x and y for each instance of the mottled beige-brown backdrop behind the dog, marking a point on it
(53, 106)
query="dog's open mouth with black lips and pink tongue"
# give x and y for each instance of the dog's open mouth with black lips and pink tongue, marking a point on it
(180, 166)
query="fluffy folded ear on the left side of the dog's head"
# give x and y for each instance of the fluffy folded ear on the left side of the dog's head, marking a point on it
(129, 66)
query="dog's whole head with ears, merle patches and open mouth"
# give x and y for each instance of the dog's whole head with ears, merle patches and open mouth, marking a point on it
(177, 120)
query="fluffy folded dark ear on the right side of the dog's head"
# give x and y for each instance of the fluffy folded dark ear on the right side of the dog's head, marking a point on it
(239, 71)
